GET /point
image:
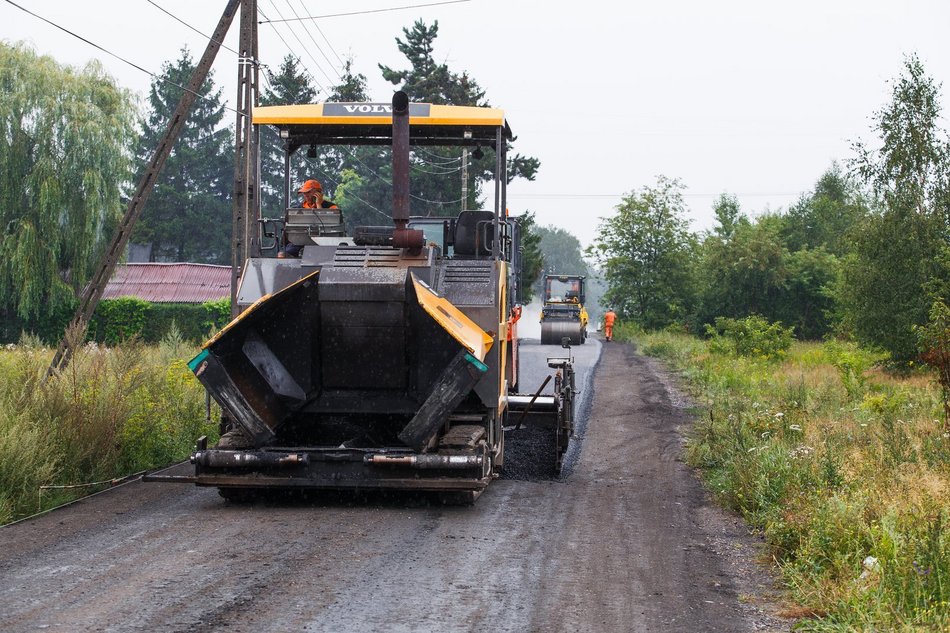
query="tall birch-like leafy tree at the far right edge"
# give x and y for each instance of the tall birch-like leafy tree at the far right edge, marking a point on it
(898, 265)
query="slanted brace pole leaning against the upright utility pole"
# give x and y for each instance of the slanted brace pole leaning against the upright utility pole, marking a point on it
(91, 294)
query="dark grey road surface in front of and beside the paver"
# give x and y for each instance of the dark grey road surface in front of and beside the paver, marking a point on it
(625, 541)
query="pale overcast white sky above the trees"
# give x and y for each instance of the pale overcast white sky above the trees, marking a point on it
(754, 98)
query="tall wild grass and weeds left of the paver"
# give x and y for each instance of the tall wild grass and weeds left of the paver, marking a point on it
(113, 412)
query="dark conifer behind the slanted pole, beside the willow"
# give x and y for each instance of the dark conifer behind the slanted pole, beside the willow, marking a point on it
(188, 215)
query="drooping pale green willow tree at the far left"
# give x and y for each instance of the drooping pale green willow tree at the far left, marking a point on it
(65, 141)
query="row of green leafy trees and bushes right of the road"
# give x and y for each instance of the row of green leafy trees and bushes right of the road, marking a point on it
(864, 254)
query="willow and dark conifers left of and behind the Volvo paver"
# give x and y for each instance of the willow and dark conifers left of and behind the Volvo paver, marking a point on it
(72, 142)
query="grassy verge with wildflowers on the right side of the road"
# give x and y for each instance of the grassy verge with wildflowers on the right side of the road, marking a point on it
(843, 467)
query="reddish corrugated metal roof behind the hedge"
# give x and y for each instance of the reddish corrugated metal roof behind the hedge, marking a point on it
(170, 283)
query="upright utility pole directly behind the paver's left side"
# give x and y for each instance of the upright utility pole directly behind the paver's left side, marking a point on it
(245, 241)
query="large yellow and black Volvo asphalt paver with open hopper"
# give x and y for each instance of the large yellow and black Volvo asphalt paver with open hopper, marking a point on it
(378, 358)
